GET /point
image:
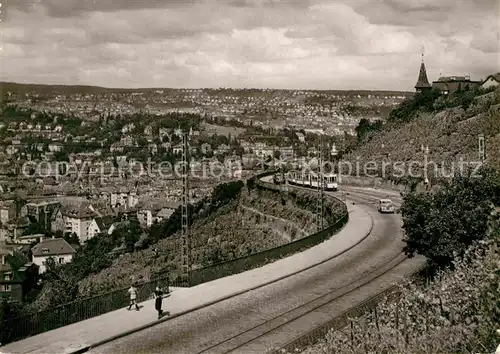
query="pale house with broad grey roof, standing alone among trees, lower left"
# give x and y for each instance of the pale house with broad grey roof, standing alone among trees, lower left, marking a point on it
(56, 248)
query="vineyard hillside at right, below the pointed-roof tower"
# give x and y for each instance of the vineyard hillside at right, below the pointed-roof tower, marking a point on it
(451, 134)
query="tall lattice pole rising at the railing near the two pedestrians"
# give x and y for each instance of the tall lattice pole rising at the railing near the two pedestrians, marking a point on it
(184, 218)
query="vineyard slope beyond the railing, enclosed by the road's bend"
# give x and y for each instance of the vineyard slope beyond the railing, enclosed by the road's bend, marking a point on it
(256, 221)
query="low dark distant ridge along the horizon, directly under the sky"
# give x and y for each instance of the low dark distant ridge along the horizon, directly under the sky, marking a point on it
(72, 89)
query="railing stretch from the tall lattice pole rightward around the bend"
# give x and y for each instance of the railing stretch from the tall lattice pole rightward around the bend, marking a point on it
(255, 260)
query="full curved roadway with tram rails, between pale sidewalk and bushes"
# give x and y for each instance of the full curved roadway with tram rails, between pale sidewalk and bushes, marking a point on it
(276, 315)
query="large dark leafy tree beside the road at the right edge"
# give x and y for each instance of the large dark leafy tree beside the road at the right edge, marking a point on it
(442, 225)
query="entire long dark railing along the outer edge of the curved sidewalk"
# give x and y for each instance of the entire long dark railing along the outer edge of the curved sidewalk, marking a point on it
(80, 310)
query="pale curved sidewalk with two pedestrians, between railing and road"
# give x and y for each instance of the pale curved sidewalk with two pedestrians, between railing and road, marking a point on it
(79, 337)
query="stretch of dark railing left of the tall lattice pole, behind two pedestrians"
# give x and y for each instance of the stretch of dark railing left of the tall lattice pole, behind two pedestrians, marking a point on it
(63, 315)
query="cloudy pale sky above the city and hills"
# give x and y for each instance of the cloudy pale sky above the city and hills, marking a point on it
(282, 44)
